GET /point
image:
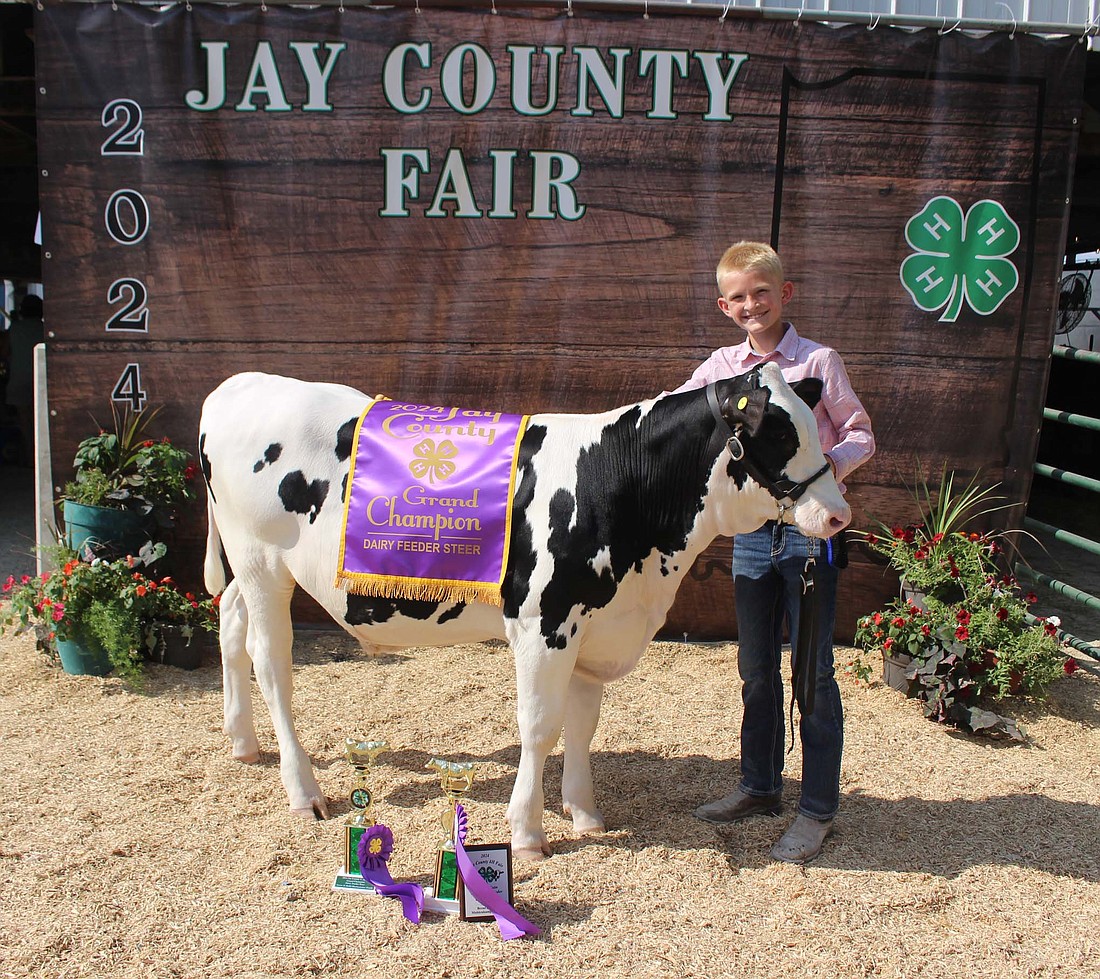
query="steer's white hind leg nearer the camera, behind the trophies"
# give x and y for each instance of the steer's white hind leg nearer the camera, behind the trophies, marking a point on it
(271, 637)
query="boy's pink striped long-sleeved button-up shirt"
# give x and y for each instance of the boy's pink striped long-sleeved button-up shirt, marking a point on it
(843, 423)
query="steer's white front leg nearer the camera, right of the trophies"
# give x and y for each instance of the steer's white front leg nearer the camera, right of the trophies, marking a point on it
(542, 683)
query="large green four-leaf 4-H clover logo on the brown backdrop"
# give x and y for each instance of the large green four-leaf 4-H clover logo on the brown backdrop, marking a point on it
(961, 259)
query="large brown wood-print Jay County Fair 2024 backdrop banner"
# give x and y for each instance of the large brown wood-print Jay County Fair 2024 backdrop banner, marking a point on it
(523, 210)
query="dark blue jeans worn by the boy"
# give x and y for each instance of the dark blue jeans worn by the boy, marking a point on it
(768, 567)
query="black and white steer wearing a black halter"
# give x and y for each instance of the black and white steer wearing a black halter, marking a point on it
(610, 513)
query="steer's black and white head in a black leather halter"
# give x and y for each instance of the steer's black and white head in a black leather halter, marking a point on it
(773, 445)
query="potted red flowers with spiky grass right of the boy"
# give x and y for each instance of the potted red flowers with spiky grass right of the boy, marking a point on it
(961, 634)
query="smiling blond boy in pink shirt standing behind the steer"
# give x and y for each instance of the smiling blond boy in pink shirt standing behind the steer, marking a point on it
(768, 565)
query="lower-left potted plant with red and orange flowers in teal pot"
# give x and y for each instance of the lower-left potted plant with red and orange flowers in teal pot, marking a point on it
(102, 617)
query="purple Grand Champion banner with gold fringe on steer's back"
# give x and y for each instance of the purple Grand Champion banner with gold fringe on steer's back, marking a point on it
(430, 513)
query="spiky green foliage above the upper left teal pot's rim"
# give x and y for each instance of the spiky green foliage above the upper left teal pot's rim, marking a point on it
(128, 470)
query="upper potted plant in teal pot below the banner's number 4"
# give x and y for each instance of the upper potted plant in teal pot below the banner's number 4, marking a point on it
(126, 487)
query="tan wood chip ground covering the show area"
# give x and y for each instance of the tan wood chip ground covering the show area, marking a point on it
(134, 846)
